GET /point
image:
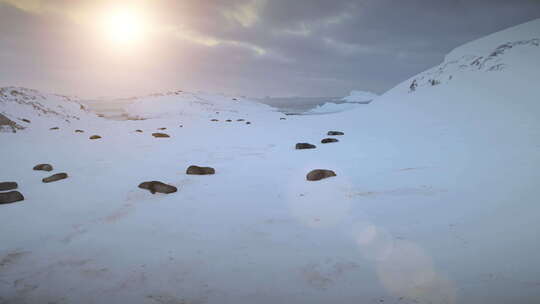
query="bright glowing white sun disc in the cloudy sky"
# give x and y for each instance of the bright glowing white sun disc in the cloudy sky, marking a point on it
(124, 26)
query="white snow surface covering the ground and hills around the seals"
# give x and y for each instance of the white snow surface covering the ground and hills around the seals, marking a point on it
(435, 199)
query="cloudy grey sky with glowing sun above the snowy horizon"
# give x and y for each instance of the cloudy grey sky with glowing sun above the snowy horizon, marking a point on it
(121, 48)
